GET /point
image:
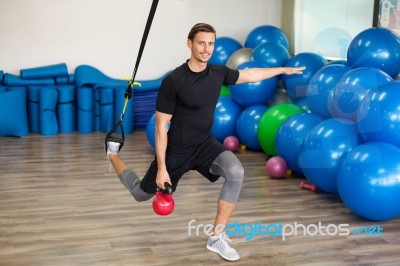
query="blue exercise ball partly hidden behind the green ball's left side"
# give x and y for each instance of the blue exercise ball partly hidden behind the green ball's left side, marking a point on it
(247, 126)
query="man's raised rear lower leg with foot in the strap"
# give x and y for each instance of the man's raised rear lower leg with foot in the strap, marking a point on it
(128, 178)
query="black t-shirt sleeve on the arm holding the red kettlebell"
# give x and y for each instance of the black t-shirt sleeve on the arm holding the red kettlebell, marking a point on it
(166, 97)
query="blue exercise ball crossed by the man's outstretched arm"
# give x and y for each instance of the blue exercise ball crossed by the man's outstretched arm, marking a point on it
(253, 93)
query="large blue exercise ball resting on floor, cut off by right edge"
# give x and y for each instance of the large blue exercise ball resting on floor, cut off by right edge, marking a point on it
(368, 181)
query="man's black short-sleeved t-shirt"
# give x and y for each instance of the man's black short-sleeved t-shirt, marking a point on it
(191, 97)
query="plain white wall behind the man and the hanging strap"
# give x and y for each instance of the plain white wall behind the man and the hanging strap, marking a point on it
(107, 33)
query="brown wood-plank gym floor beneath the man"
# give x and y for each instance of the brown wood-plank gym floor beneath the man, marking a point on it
(61, 205)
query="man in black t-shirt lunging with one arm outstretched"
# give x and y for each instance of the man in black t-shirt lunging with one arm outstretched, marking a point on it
(187, 100)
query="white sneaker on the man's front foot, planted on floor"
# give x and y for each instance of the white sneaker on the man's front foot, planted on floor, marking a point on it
(219, 244)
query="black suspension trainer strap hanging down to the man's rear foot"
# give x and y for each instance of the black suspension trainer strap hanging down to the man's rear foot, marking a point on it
(128, 91)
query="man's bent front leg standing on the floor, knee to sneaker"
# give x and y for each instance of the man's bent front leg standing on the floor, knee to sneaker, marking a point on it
(228, 166)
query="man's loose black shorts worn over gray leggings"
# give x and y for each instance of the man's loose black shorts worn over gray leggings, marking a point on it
(178, 164)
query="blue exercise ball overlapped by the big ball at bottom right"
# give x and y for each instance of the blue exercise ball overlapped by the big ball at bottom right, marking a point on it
(322, 149)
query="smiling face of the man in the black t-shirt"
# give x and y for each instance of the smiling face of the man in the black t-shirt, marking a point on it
(202, 46)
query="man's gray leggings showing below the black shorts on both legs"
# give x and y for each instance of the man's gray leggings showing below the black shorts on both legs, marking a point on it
(225, 165)
